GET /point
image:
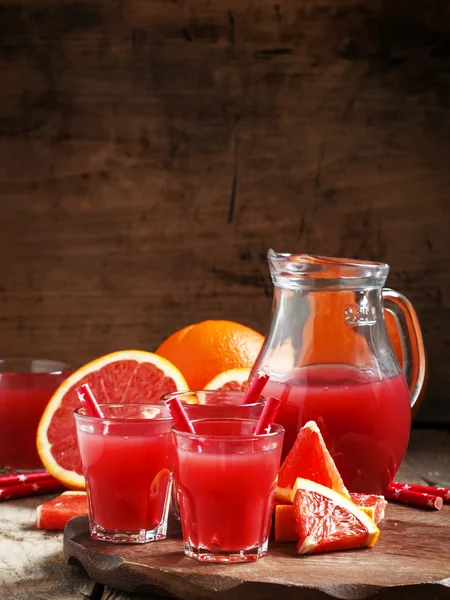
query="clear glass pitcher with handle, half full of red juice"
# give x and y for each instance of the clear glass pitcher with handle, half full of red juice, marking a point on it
(330, 360)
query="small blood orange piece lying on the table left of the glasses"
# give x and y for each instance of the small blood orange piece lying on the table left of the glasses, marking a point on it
(56, 513)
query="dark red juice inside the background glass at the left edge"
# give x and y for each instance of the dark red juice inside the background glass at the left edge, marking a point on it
(21, 409)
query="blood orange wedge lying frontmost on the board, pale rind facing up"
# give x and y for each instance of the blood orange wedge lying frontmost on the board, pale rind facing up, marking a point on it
(327, 521)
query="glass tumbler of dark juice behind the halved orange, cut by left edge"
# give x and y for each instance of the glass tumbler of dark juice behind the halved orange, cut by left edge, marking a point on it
(26, 386)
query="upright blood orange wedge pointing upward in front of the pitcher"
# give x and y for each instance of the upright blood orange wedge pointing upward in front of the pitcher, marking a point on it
(309, 458)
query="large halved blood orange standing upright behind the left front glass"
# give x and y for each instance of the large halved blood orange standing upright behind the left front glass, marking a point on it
(126, 376)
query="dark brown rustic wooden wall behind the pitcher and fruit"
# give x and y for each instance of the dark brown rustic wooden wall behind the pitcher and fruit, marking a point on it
(152, 151)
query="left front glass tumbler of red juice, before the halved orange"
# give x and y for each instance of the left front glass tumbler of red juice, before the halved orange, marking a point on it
(127, 459)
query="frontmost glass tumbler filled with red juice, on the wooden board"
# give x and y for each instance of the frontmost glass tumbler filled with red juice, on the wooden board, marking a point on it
(226, 478)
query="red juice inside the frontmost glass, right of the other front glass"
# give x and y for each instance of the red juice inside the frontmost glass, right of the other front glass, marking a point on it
(226, 498)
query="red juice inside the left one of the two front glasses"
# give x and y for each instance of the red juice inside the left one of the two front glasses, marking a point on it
(127, 478)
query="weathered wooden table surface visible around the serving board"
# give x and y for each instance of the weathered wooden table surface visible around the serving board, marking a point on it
(32, 565)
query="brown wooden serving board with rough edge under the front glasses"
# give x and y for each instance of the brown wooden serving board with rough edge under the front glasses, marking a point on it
(409, 562)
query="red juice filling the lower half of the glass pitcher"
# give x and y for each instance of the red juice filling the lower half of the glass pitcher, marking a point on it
(364, 420)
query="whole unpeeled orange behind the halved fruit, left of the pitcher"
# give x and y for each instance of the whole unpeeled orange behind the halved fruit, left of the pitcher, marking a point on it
(204, 350)
